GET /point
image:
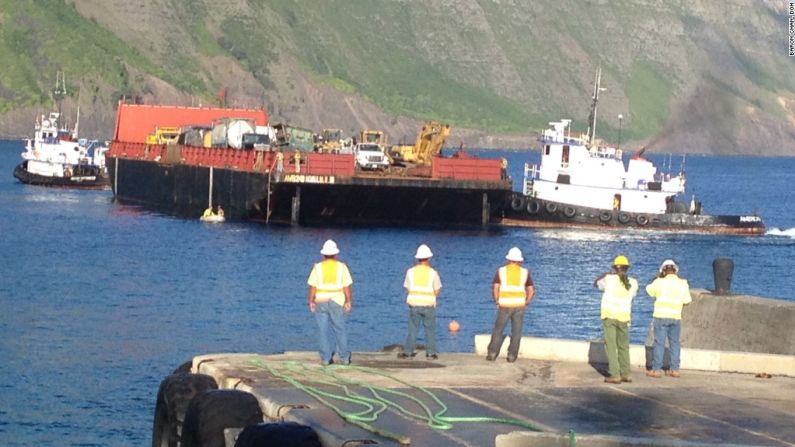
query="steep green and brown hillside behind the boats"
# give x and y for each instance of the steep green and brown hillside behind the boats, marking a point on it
(501, 67)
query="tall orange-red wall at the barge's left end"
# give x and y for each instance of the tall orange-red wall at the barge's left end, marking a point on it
(135, 121)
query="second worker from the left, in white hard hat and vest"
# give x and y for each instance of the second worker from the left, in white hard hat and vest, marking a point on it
(422, 286)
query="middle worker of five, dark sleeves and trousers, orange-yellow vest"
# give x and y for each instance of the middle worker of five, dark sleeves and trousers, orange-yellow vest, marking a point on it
(512, 290)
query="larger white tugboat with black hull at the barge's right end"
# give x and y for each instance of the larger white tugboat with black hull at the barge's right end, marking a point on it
(581, 184)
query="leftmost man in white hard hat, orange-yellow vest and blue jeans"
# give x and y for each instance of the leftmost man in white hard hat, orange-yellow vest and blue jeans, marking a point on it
(329, 298)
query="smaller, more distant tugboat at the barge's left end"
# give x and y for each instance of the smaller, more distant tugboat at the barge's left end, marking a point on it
(56, 157)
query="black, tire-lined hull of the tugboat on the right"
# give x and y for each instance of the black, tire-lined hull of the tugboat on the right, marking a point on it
(521, 211)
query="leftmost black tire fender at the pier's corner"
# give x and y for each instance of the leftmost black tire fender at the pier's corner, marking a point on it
(173, 397)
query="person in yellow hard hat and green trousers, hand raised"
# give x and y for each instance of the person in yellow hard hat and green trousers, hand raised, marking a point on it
(616, 309)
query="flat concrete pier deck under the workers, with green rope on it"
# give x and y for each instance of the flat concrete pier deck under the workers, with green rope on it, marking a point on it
(562, 399)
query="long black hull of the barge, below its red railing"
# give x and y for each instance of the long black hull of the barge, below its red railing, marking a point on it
(184, 190)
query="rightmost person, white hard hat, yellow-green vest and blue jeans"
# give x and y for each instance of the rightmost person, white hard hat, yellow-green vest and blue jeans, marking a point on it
(670, 293)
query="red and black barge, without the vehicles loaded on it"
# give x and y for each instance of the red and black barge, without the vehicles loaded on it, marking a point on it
(184, 175)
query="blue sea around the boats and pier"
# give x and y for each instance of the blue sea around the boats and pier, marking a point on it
(101, 301)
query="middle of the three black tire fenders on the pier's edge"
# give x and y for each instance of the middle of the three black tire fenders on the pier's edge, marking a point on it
(211, 412)
